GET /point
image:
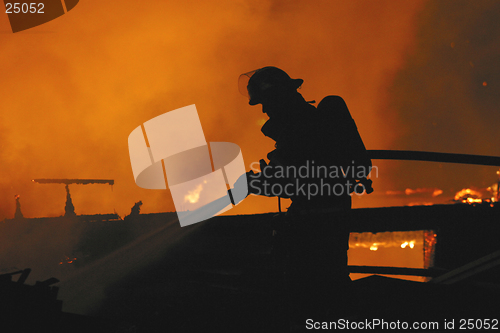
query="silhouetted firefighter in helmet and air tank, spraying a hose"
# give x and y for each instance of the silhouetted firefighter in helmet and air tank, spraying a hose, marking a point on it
(319, 162)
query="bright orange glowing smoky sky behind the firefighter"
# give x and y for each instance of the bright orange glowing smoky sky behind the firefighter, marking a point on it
(74, 88)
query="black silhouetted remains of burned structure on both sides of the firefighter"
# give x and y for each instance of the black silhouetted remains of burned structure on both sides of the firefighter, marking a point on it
(215, 275)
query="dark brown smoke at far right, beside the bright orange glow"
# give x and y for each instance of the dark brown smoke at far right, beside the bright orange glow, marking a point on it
(447, 95)
